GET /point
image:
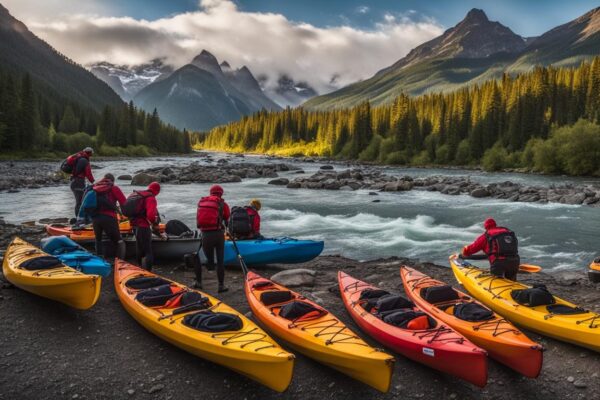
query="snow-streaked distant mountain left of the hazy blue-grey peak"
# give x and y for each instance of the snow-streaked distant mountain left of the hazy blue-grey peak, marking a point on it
(127, 81)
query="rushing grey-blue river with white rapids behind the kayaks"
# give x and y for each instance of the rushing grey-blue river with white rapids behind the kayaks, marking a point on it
(416, 224)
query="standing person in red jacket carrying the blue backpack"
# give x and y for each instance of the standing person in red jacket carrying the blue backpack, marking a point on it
(105, 219)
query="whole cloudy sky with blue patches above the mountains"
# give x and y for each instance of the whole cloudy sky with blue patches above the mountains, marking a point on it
(327, 43)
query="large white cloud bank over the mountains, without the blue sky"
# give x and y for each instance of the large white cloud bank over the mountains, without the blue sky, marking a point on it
(268, 43)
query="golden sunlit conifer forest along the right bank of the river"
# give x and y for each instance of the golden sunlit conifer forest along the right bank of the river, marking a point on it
(500, 123)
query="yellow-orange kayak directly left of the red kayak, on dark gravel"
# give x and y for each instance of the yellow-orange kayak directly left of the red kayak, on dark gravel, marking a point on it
(313, 331)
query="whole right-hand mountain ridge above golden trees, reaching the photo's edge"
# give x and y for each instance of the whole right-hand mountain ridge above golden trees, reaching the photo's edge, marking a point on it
(473, 51)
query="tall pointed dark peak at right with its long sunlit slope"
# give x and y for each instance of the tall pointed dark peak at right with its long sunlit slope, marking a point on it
(475, 49)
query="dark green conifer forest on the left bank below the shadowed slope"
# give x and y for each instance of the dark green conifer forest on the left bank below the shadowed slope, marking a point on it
(34, 118)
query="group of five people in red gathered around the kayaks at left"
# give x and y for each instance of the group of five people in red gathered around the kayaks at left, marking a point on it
(103, 203)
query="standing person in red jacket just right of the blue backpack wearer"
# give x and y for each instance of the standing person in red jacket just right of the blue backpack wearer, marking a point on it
(146, 222)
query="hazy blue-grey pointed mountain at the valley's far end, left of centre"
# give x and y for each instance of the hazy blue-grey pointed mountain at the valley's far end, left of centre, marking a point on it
(203, 94)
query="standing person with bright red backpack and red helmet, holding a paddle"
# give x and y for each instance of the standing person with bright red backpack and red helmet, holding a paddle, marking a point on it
(213, 213)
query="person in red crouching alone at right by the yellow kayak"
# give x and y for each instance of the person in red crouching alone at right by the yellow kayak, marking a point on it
(501, 247)
